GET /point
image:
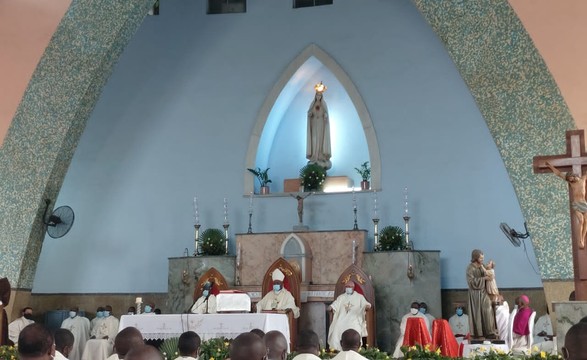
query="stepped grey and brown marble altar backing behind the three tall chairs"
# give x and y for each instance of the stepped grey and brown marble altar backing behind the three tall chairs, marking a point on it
(319, 258)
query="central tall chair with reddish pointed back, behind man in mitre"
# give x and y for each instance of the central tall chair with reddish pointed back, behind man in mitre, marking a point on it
(292, 283)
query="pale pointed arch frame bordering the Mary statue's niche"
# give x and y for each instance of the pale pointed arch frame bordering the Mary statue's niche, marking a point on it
(315, 51)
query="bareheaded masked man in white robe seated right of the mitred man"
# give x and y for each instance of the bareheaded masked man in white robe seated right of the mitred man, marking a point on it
(349, 313)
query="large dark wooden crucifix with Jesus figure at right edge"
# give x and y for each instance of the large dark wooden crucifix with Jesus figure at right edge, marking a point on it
(572, 167)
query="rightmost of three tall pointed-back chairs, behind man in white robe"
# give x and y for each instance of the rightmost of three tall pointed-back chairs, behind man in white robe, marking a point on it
(364, 286)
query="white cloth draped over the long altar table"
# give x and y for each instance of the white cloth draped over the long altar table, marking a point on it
(208, 326)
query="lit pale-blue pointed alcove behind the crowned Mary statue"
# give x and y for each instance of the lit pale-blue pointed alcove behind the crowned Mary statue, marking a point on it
(280, 130)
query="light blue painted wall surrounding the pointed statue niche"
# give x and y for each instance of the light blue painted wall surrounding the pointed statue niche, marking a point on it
(175, 119)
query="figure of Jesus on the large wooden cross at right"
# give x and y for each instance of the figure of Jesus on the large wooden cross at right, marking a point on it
(578, 202)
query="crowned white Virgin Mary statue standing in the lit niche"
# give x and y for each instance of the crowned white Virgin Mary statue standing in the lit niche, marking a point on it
(318, 140)
